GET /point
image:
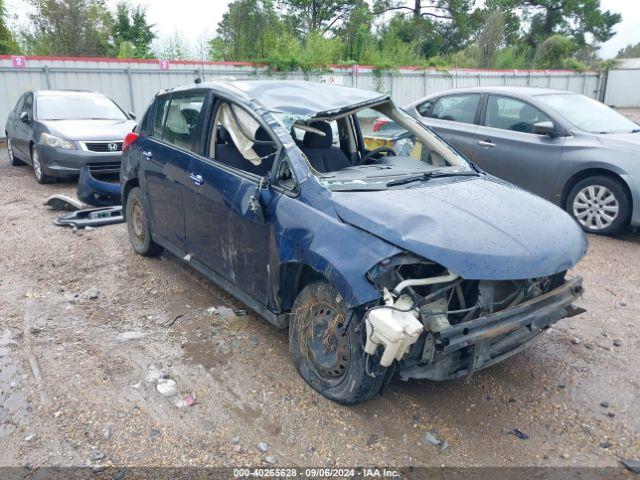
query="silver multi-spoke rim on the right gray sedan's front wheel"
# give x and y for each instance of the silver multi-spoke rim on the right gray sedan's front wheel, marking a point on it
(596, 207)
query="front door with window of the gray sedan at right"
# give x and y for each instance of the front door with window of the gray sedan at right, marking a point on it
(506, 146)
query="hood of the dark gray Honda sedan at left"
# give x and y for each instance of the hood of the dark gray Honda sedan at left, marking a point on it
(90, 129)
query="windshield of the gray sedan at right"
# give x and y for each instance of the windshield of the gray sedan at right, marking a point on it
(588, 114)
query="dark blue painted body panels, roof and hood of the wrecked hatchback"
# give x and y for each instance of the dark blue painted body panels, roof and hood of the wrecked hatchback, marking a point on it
(479, 227)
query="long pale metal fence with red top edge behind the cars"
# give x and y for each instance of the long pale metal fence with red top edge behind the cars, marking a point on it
(132, 83)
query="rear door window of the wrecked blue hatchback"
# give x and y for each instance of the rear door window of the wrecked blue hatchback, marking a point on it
(183, 119)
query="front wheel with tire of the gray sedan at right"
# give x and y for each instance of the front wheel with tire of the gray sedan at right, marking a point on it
(606, 214)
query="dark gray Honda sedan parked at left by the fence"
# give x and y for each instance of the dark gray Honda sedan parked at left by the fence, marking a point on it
(59, 131)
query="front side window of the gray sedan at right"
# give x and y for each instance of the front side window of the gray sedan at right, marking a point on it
(509, 113)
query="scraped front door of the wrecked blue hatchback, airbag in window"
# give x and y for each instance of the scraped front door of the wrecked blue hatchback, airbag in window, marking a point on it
(223, 230)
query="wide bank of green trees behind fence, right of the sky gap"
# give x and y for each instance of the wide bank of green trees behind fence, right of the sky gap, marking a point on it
(311, 34)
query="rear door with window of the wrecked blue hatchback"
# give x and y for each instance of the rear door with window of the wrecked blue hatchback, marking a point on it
(166, 161)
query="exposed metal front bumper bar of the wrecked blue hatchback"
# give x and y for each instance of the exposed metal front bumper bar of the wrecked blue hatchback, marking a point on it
(467, 347)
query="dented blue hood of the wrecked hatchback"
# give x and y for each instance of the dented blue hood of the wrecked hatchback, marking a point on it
(480, 229)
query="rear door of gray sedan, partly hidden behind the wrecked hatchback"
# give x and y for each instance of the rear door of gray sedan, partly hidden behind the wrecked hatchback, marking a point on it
(453, 117)
